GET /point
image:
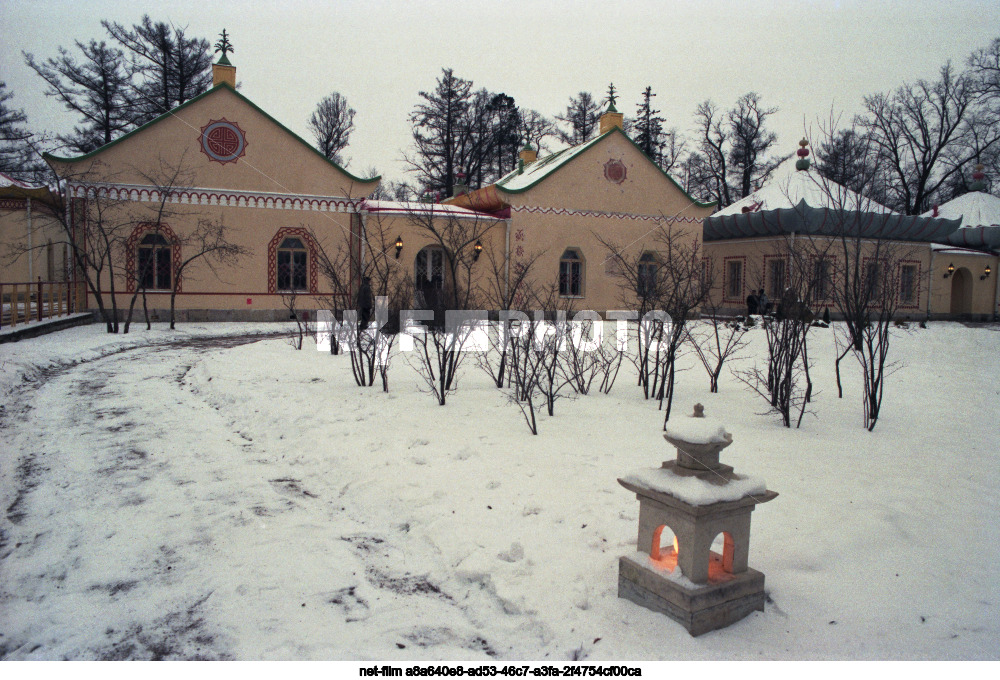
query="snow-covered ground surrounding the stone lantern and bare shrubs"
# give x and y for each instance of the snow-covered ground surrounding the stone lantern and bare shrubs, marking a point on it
(247, 501)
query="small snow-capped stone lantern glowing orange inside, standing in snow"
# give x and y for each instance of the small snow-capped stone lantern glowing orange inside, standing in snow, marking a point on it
(697, 498)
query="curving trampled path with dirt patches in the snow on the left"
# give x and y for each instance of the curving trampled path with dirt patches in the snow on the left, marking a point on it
(82, 430)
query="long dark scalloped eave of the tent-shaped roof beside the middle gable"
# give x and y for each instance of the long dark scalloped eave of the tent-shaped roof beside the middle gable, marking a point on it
(827, 221)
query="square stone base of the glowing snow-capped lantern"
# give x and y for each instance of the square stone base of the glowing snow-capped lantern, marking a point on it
(699, 609)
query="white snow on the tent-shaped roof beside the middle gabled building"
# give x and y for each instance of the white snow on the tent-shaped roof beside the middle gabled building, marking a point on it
(787, 187)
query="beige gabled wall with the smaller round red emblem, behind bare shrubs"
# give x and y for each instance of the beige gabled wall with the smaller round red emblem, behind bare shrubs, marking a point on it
(547, 218)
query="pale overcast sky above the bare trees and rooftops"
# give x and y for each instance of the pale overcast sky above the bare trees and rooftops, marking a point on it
(805, 57)
